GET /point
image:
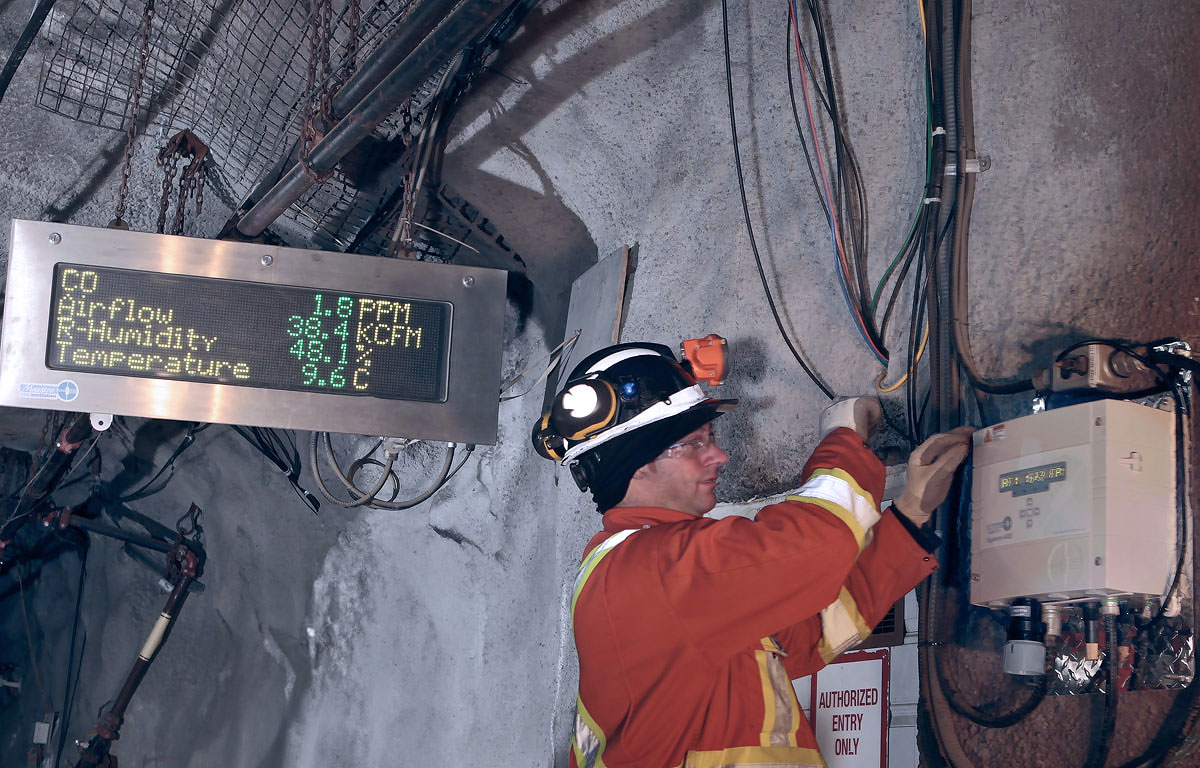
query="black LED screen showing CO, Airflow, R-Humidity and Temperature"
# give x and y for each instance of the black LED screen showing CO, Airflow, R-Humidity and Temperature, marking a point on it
(135, 323)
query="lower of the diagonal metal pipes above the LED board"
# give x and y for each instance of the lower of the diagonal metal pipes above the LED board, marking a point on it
(459, 29)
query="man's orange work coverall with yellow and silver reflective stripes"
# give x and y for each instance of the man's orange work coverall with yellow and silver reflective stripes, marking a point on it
(689, 629)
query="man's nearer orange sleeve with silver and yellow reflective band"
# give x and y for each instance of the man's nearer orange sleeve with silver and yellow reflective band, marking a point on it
(735, 581)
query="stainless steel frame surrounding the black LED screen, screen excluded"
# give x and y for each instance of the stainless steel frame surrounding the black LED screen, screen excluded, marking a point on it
(470, 413)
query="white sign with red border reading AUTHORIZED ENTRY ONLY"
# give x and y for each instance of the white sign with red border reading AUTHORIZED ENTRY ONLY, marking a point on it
(850, 710)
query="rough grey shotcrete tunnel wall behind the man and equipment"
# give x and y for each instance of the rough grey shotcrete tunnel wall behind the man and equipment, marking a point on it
(439, 637)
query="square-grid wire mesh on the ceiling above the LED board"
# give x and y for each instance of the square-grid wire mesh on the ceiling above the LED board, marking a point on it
(235, 73)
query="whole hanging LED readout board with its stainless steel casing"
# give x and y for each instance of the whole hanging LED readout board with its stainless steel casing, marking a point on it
(136, 369)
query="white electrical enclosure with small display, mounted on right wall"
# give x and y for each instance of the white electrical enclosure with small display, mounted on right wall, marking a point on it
(1072, 503)
